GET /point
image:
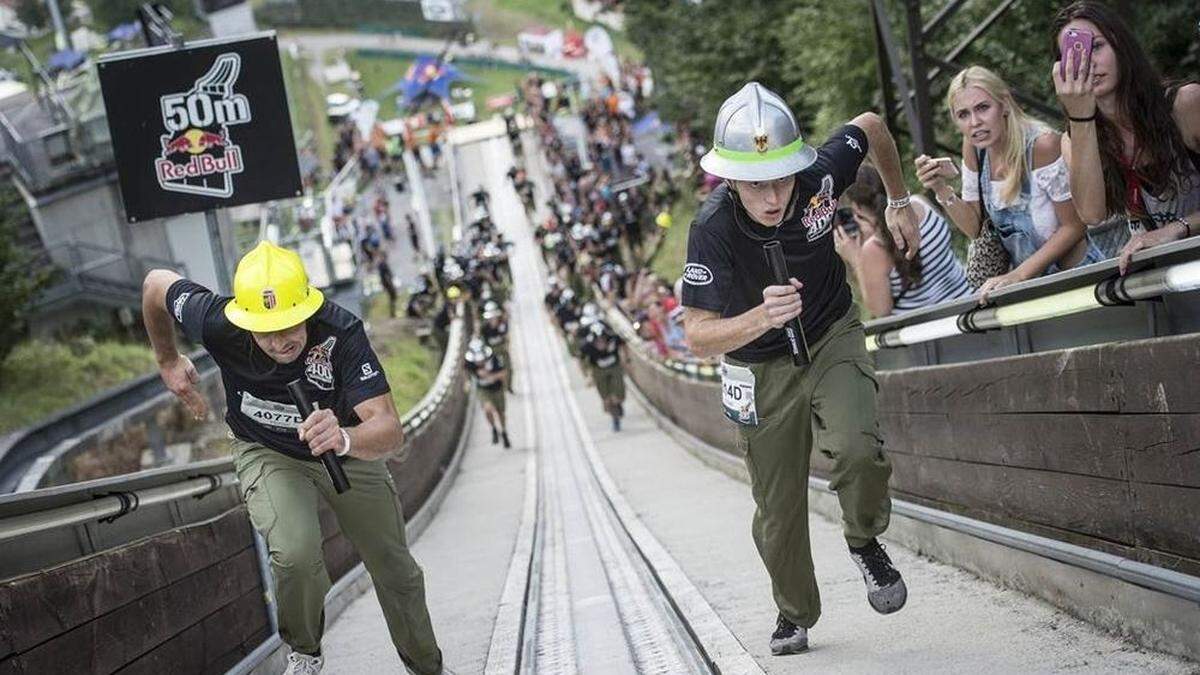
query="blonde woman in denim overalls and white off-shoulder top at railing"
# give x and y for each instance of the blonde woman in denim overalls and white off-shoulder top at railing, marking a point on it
(1013, 164)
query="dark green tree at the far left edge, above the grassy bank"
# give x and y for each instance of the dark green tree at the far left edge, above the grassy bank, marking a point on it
(20, 278)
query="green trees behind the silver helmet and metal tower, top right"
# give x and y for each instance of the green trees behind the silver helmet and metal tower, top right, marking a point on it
(821, 57)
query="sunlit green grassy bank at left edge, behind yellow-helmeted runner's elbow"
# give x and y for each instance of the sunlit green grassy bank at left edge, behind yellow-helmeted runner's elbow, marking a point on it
(45, 378)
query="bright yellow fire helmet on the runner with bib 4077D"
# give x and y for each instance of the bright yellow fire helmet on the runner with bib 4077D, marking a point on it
(272, 291)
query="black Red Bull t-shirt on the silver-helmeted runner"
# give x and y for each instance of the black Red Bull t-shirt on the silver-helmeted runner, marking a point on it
(727, 268)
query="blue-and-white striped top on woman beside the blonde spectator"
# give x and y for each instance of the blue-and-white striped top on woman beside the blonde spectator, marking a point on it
(941, 274)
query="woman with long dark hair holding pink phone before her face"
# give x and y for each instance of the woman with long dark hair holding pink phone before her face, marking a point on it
(1133, 146)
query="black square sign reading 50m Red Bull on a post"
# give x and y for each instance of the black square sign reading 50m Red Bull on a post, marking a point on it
(201, 128)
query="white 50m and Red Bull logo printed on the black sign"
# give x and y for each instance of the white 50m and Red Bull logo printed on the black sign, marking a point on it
(199, 156)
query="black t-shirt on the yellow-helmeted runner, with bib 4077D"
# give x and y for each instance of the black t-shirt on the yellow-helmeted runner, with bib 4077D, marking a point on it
(338, 367)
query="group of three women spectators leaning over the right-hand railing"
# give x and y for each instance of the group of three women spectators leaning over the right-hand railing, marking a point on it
(1123, 177)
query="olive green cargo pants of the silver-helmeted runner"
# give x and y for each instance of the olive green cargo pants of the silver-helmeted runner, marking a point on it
(829, 407)
